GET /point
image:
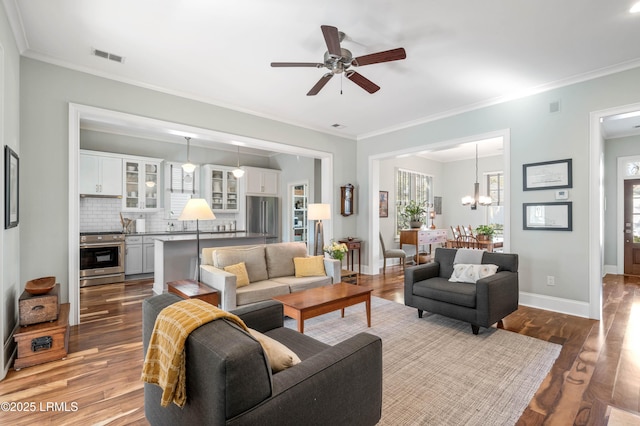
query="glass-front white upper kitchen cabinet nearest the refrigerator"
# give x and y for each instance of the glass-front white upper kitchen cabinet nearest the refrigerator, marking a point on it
(221, 188)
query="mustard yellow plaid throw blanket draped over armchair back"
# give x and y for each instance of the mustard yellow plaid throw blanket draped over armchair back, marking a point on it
(164, 364)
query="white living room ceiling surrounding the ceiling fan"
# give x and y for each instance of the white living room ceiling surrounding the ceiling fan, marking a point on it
(461, 54)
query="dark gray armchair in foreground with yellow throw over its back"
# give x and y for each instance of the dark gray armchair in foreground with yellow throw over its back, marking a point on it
(228, 381)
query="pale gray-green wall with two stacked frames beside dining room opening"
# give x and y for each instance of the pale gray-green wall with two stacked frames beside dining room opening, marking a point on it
(536, 135)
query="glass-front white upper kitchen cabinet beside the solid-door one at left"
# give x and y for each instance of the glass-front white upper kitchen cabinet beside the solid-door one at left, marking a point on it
(141, 185)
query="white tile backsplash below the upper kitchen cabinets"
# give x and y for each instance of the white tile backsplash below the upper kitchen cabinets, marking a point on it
(103, 214)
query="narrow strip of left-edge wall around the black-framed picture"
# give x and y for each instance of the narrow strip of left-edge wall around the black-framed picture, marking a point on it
(10, 277)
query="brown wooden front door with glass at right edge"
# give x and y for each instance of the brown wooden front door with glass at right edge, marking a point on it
(632, 227)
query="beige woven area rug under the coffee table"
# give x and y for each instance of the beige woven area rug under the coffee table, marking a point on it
(436, 372)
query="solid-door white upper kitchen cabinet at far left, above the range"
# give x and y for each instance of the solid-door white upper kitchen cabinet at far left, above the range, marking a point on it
(100, 175)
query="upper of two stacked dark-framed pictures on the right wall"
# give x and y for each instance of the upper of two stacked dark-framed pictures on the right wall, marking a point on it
(547, 175)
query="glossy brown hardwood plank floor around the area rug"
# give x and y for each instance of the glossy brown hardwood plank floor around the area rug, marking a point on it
(99, 381)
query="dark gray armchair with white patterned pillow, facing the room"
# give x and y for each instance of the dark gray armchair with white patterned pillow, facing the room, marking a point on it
(489, 300)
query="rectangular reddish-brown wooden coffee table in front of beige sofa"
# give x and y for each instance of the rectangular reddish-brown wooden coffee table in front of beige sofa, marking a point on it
(306, 304)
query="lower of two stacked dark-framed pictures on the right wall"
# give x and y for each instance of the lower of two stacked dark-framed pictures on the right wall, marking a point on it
(554, 216)
